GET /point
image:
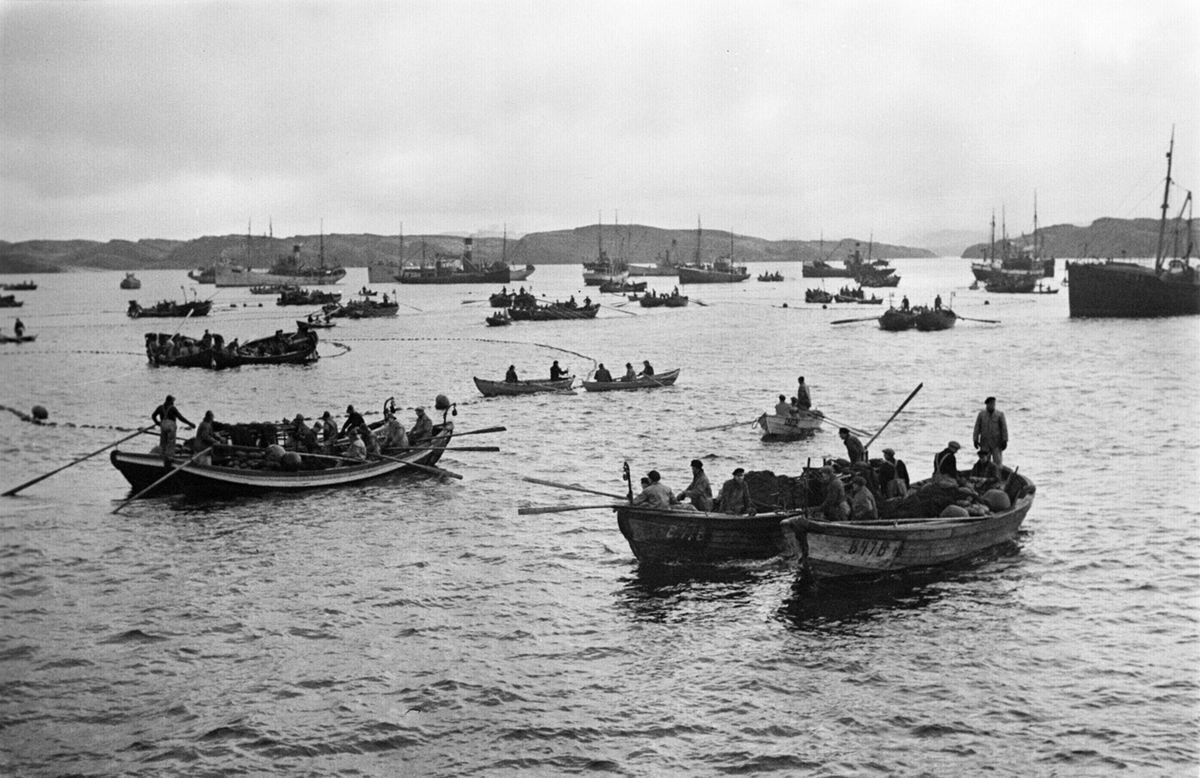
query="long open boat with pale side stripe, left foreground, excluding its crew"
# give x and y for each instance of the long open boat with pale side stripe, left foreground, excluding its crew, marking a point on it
(233, 474)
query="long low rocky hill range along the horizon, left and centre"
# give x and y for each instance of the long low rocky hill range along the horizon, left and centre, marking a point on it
(565, 247)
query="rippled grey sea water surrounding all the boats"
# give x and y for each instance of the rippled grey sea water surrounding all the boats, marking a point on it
(423, 627)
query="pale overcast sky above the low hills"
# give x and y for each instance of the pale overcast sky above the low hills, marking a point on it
(783, 121)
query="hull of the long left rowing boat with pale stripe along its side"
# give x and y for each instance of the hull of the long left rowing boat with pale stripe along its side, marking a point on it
(211, 482)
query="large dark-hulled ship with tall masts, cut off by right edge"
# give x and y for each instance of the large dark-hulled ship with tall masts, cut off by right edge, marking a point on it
(1172, 288)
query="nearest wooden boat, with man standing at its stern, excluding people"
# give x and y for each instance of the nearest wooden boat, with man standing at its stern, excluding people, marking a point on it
(835, 549)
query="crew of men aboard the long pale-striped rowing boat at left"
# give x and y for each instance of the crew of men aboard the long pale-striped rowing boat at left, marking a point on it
(355, 441)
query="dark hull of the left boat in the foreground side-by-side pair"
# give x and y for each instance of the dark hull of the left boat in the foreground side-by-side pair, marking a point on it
(691, 537)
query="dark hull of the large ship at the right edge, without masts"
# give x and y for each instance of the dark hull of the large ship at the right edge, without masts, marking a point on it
(1127, 291)
